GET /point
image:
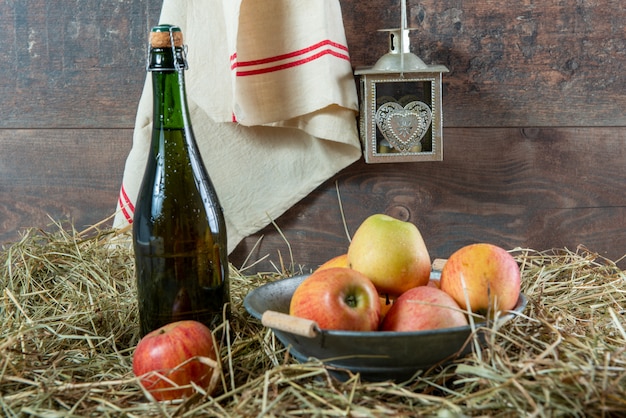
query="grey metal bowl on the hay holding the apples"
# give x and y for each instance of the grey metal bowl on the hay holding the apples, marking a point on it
(376, 355)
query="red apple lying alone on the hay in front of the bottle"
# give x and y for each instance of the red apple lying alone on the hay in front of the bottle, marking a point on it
(166, 360)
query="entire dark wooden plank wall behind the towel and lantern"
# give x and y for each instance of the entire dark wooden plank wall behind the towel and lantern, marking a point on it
(534, 126)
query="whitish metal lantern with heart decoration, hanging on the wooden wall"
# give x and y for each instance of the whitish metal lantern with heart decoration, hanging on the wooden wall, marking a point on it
(400, 116)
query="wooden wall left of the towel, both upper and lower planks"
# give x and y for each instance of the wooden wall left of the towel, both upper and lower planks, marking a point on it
(72, 74)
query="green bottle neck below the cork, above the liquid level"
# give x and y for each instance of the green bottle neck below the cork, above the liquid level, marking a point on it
(168, 88)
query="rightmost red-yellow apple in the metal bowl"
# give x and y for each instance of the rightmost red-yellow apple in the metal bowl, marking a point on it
(483, 278)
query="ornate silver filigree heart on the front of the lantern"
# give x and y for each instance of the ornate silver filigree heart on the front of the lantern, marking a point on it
(404, 127)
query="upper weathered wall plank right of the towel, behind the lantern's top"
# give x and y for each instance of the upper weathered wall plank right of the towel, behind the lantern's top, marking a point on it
(522, 63)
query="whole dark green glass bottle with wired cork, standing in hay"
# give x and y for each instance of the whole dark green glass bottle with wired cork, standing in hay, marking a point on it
(179, 232)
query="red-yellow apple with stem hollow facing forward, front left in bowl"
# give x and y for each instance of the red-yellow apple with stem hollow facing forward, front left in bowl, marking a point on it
(337, 298)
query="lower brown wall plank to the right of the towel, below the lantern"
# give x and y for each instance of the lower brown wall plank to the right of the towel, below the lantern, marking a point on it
(534, 188)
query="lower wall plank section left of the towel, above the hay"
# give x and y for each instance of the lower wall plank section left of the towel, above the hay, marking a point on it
(60, 175)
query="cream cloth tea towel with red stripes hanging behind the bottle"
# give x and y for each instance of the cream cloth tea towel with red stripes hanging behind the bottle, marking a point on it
(273, 104)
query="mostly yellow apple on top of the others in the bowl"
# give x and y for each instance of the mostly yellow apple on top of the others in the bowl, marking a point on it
(391, 253)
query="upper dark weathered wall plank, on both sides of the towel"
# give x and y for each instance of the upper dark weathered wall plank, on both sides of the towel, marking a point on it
(80, 63)
